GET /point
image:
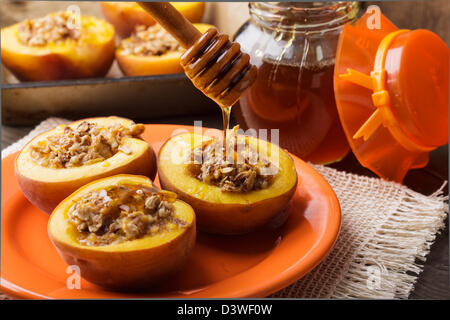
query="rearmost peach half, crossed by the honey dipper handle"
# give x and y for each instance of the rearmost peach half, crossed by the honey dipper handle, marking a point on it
(126, 16)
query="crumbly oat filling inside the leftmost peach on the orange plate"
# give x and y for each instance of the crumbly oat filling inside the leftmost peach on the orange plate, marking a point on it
(85, 144)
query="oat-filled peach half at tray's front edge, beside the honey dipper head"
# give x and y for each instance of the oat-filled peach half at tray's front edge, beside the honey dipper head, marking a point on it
(151, 51)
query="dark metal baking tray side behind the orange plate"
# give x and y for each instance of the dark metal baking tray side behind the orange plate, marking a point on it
(140, 98)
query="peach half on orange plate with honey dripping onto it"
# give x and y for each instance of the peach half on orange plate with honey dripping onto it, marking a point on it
(232, 192)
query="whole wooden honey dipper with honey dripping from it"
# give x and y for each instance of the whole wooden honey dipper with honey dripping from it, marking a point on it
(213, 63)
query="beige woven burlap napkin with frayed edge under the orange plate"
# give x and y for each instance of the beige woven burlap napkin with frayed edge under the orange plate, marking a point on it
(386, 234)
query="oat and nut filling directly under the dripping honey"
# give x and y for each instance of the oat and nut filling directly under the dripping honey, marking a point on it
(235, 168)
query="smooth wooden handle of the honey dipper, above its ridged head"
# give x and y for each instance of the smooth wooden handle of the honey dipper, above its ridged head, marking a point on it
(173, 21)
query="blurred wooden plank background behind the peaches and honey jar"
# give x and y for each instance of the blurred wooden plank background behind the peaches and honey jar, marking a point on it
(429, 14)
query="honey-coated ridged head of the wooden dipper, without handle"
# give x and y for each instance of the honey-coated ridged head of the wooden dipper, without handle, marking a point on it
(218, 68)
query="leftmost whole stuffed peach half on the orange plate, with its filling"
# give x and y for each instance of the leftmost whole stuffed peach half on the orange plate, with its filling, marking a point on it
(58, 162)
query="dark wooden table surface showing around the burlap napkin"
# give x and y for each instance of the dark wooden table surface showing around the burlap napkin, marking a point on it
(433, 282)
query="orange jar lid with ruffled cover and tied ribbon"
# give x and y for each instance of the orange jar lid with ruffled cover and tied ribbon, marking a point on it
(391, 90)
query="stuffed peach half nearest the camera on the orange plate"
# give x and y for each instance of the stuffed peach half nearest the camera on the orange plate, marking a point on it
(123, 233)
